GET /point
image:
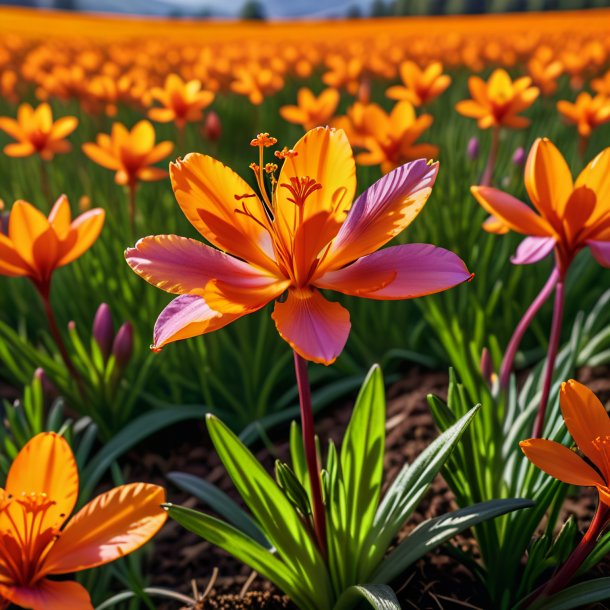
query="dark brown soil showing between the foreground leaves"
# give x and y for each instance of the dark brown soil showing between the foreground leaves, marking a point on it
(435, 582)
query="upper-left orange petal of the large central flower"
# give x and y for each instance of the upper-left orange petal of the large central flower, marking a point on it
(214, 199)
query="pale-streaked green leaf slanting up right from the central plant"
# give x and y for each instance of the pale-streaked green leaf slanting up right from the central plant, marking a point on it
(405, 492)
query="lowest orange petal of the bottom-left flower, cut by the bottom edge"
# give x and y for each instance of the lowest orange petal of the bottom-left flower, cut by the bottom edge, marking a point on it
(49, 595)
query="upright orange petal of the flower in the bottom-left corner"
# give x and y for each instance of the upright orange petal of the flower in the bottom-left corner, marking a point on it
(46, 464)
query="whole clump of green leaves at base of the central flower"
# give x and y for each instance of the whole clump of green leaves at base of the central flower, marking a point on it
(360, 525)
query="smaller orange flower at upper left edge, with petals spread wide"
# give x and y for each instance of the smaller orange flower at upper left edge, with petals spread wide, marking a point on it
(37, 133)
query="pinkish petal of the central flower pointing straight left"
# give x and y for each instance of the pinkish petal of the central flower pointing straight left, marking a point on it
(180, 265)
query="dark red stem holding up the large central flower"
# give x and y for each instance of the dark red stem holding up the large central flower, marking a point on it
(311, 457)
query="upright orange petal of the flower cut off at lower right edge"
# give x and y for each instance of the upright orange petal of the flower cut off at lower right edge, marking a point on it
(586, 419)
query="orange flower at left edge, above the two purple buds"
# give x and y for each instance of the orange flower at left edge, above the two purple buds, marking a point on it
(36, 245)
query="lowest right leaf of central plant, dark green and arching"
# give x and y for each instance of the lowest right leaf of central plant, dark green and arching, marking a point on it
(434, 532)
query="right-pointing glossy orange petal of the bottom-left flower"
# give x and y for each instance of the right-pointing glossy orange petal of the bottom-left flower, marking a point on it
(112, 525)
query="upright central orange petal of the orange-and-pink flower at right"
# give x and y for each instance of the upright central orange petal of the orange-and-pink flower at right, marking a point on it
(548, 179)
